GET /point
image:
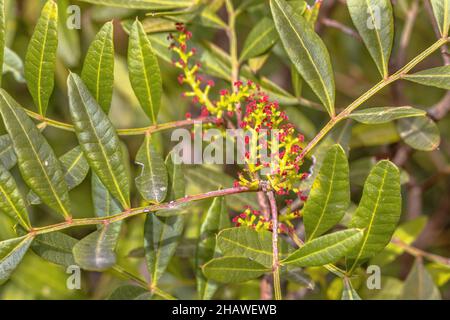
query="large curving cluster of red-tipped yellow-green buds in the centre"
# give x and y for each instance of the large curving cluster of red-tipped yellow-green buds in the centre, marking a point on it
(261, 117)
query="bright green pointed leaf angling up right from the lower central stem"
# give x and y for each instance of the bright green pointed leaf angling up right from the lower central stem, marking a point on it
(325, 249)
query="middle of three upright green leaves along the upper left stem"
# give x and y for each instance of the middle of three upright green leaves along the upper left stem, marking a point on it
(98, 68)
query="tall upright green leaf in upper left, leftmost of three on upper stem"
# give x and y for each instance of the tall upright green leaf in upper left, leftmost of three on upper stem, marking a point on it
(40, 60)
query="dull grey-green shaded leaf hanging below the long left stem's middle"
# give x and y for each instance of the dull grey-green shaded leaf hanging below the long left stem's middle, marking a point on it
(95, 252)
